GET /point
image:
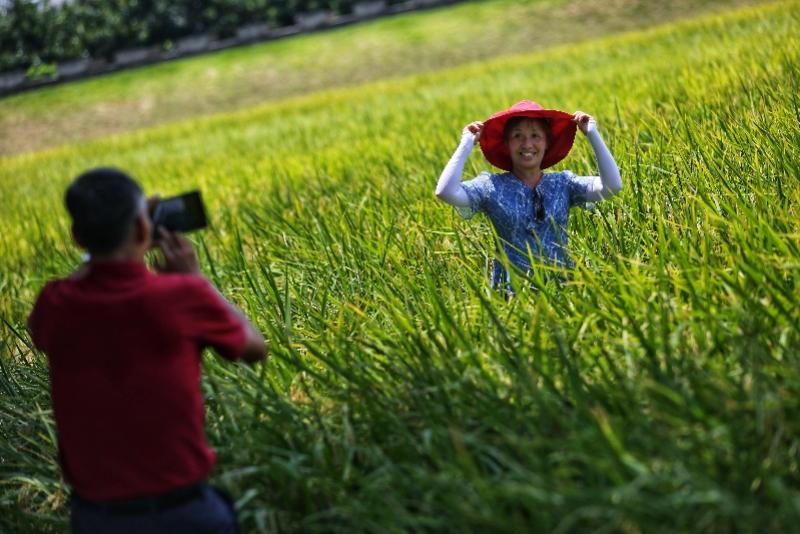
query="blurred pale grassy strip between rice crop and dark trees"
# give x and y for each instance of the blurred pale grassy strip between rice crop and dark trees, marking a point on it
(386, 48)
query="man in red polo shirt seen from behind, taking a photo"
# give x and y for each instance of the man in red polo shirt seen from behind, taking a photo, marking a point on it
(124, 346)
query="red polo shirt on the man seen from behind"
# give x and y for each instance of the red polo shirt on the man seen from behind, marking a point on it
(124, 348)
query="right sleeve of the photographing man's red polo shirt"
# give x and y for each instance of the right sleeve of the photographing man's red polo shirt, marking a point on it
(211, 321)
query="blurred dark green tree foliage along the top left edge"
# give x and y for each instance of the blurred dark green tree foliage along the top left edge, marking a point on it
(35, 32)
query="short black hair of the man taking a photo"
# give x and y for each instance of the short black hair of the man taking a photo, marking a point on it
(103, 204)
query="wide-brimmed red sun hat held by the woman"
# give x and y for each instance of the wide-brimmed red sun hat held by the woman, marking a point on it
(562, 134)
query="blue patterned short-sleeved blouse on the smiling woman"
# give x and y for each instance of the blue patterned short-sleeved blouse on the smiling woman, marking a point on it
(512, 209)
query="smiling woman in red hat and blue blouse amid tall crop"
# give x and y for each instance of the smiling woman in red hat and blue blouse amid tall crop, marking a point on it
(527, 207)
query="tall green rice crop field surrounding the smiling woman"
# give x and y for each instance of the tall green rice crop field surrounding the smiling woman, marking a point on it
(658, 390)
